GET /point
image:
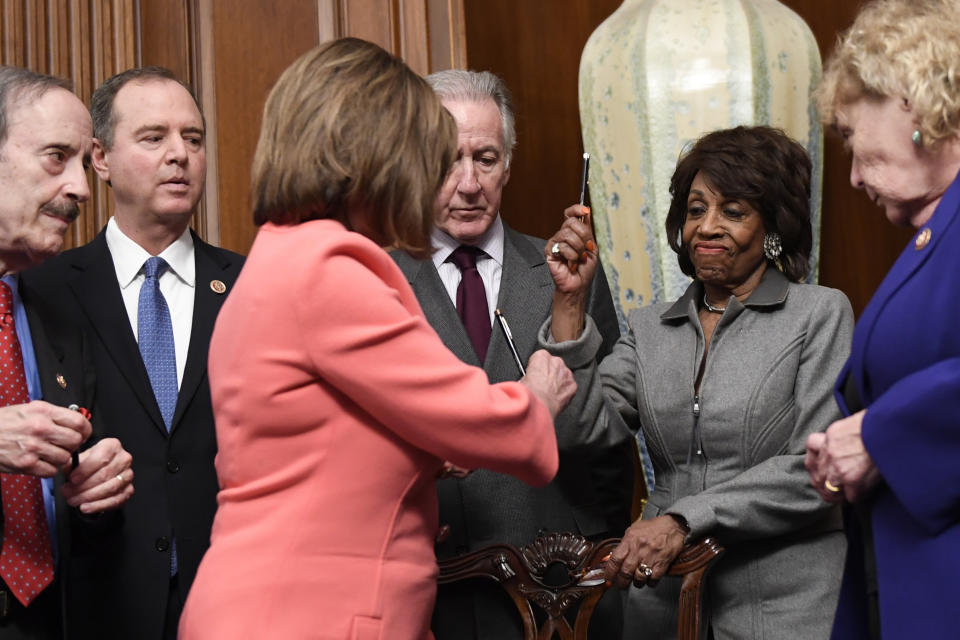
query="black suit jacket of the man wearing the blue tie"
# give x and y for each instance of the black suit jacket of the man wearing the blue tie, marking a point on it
(120, 579)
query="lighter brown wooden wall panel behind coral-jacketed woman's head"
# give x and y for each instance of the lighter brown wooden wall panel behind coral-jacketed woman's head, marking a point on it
(250, 43)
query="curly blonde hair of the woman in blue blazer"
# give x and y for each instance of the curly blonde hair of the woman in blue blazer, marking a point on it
(904, 49)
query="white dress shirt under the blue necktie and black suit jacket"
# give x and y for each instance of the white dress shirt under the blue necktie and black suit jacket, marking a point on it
(177, 284)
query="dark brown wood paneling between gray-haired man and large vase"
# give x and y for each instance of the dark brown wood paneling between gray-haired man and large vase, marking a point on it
(535, 47)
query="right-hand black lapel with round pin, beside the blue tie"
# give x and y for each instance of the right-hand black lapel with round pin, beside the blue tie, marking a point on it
(206, 305)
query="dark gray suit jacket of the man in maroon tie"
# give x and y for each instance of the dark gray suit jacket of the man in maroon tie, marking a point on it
(591, 492)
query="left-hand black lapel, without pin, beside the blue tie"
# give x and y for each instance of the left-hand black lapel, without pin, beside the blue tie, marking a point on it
(98, 294)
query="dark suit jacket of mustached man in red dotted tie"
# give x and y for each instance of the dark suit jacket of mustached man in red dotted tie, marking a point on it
(61, 354)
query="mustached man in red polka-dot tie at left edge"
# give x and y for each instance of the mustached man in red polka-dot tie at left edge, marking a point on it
(44, 148)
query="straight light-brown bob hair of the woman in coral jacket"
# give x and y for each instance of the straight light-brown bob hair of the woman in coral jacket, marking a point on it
(351, 133)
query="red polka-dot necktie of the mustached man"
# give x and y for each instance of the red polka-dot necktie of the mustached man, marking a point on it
(26, 560)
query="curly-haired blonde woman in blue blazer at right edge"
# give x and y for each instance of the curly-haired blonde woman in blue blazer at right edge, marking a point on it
(892, 90)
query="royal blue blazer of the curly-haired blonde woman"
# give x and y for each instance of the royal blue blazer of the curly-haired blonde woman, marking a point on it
(905, 362)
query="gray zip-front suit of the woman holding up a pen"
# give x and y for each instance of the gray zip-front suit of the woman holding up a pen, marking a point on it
(767, 384)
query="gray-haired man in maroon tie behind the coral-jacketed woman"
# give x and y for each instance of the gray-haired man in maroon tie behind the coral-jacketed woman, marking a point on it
(591, 492)
